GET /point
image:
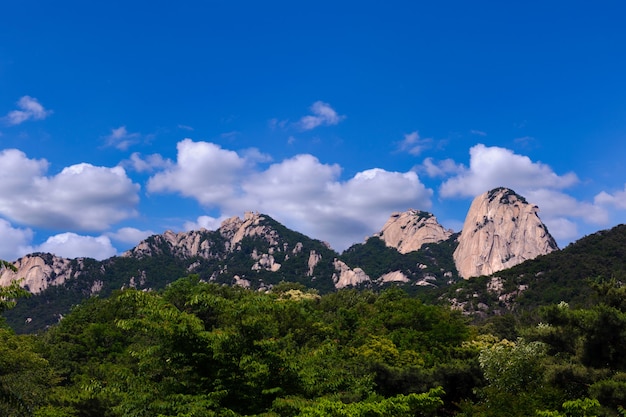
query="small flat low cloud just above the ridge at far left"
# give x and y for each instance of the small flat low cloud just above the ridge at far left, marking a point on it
(71, 245)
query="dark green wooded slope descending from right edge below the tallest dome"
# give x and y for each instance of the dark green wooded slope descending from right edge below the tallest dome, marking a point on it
(567, 275)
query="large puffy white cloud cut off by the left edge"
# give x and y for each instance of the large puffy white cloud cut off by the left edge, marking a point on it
(80, 197)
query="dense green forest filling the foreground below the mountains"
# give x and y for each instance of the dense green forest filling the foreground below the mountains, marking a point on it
(202, 349)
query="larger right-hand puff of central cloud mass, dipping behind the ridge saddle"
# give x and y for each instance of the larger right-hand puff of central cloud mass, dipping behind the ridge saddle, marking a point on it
(309, 197)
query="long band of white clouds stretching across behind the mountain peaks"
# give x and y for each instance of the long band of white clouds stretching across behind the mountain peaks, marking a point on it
(301, 192)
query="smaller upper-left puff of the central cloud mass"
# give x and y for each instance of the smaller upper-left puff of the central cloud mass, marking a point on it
(203, 171)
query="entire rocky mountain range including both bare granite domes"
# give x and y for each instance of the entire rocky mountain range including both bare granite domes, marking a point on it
(412, 250)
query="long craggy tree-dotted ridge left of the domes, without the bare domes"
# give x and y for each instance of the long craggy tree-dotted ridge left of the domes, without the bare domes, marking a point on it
(254, 252)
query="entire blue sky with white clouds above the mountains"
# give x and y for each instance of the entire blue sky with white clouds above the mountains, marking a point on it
(119, 120)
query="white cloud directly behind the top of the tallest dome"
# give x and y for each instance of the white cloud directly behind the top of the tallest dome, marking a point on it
(492, 167)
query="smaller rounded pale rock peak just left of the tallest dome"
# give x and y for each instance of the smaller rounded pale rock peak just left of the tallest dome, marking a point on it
(409, 230)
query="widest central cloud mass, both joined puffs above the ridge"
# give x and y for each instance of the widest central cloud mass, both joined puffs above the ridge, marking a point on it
(300, 192)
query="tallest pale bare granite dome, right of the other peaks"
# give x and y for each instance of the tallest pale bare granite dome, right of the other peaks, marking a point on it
(501, 230)
